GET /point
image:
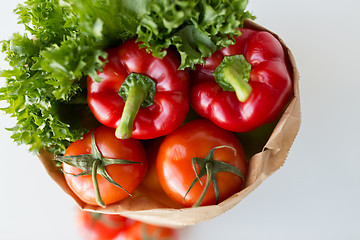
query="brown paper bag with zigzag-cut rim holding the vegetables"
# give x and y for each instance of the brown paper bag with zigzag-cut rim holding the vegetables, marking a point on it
(152, 205)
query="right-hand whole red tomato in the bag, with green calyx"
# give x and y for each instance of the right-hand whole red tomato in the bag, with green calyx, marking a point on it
(201, 164)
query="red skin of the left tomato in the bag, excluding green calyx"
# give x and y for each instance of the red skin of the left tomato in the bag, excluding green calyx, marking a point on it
(128, 176)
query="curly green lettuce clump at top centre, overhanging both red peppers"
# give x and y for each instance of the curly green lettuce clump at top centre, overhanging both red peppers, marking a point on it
(196, 27)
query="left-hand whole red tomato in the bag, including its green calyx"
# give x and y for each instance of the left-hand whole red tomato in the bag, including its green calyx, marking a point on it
(101, 169)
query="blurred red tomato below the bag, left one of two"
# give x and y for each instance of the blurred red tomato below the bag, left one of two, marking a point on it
(97, 226)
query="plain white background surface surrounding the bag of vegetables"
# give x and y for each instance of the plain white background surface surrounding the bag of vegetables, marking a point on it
(315, 195)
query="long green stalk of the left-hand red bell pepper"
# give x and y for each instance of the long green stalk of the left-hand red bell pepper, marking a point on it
(133, 103)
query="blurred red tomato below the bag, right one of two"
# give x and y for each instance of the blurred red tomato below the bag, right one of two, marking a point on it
(142, 231)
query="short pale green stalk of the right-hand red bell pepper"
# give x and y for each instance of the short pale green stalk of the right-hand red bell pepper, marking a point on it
(236, 79)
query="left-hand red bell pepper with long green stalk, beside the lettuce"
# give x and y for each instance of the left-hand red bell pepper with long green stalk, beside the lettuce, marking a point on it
(141, 96)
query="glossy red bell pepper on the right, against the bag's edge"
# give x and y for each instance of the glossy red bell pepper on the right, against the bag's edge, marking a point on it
(268, 85)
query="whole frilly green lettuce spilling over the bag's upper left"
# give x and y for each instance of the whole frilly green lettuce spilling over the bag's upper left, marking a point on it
(65, 41)
